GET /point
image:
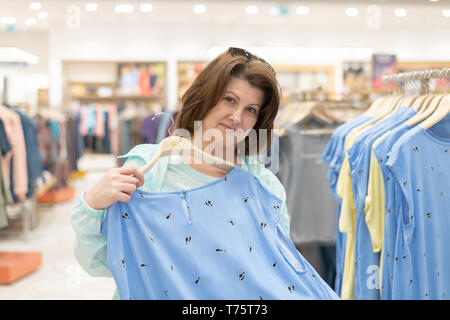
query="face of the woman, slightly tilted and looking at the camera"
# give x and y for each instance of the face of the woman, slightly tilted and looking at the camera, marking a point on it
(235, 114)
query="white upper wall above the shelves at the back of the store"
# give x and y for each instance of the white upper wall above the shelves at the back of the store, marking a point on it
(278, 44)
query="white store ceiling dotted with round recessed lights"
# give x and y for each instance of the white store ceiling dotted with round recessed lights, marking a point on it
(421, 14)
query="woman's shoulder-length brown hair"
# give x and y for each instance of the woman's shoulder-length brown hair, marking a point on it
(209, 86)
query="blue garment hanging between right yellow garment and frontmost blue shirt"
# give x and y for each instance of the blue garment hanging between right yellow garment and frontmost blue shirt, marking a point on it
(381, 152)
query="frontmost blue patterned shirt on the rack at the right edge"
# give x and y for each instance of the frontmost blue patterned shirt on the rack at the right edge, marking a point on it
(420, 162)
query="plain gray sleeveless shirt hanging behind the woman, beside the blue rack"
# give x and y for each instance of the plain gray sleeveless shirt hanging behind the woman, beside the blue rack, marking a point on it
(304, 175)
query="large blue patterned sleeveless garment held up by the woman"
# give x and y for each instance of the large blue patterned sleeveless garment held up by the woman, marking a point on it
(222, 240)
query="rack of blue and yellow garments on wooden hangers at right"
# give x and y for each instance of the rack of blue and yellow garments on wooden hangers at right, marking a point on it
(385, 208)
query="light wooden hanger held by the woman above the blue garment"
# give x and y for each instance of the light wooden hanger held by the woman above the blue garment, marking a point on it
(178, 145)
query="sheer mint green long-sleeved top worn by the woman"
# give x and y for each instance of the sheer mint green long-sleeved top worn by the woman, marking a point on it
(168, 174)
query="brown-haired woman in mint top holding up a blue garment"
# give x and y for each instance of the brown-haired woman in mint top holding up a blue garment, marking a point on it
(235, 93)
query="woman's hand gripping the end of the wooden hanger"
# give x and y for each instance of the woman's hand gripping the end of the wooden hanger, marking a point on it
(117, 185)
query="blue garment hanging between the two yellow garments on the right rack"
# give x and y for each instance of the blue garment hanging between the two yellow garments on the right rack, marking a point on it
(367, 262)
